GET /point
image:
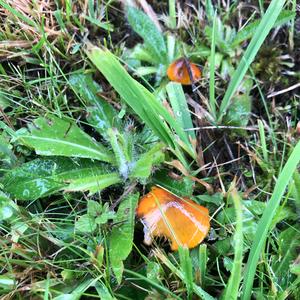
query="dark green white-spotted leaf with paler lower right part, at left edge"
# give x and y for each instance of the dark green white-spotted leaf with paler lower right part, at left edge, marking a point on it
(45, 176)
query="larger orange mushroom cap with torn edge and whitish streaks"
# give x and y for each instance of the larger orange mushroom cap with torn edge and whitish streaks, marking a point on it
(182, 221)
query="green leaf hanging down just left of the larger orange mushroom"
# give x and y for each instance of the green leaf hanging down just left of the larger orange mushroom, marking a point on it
(121, 237)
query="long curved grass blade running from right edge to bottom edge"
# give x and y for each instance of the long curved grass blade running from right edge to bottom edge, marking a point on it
(266, 220)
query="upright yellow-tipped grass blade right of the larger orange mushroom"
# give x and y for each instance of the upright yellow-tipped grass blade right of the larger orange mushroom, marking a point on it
(232, 287)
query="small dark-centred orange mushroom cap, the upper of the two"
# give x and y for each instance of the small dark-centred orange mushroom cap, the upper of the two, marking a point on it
(184, 72)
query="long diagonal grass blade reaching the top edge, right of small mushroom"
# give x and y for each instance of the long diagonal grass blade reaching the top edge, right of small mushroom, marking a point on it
(261, 33)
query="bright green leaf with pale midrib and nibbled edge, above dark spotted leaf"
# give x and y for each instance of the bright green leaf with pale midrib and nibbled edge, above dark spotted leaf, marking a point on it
(52, 136)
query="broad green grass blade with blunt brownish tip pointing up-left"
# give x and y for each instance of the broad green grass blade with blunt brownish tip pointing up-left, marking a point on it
(149, 109)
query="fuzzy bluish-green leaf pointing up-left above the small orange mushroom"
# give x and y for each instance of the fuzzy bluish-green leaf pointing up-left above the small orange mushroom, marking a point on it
(152, 37)
